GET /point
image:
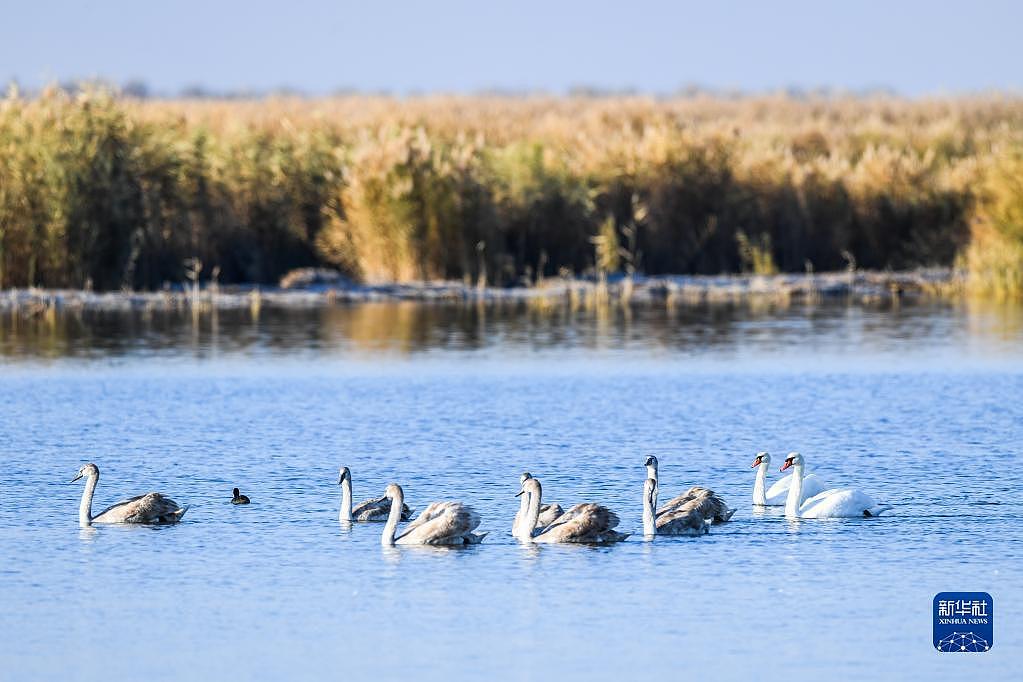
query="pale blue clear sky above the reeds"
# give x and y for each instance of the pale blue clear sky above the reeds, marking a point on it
(915, 48)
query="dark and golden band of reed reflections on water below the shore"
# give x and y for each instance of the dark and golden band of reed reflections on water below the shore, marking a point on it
(410, 329)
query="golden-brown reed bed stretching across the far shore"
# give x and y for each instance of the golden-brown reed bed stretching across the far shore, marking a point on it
(99, 192)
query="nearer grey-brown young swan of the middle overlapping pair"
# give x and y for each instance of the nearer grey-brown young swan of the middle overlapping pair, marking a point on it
(586, 523)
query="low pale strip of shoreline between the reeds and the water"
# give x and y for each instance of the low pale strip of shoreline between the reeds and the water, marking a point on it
(858, 287)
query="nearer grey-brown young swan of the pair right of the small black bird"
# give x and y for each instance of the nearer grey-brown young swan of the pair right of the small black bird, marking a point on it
(440, 523)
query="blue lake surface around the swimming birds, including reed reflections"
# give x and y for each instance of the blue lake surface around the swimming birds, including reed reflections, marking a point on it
(920, 405)
